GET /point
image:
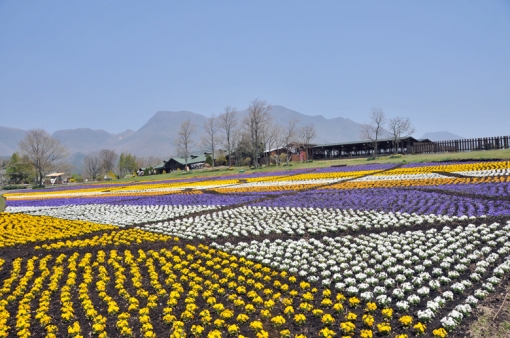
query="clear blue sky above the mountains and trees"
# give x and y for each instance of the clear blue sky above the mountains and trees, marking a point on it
(112, 64)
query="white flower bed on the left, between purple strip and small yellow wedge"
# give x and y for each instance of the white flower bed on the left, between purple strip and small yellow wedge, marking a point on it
(121, 215)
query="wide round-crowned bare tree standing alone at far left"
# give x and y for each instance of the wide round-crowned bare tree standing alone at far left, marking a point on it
(42, 151)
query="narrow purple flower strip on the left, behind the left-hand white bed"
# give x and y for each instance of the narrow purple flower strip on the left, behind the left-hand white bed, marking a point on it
(172, 199)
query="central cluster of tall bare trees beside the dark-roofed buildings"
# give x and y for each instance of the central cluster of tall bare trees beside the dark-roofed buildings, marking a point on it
(246, 139)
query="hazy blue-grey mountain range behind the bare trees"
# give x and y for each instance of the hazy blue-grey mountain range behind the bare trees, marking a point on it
(157, 136)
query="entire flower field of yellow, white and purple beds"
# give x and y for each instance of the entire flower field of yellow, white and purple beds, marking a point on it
(377, 250)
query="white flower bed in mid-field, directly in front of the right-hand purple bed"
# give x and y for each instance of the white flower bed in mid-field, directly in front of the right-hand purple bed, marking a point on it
(249, 221)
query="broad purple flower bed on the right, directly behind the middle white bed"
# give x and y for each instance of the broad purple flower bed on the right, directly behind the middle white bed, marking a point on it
(393, 200)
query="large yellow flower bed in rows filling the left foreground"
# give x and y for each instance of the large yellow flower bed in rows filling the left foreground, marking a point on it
(203, 292)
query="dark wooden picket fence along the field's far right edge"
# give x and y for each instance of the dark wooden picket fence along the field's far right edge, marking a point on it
(485, 143)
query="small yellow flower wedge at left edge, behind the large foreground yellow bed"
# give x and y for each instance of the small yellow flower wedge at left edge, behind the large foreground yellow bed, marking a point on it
(21, 229)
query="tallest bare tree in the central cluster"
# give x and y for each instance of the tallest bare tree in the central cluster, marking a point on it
(255, 122)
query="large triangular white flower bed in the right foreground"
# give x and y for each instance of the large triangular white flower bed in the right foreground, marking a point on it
(397, 268)
